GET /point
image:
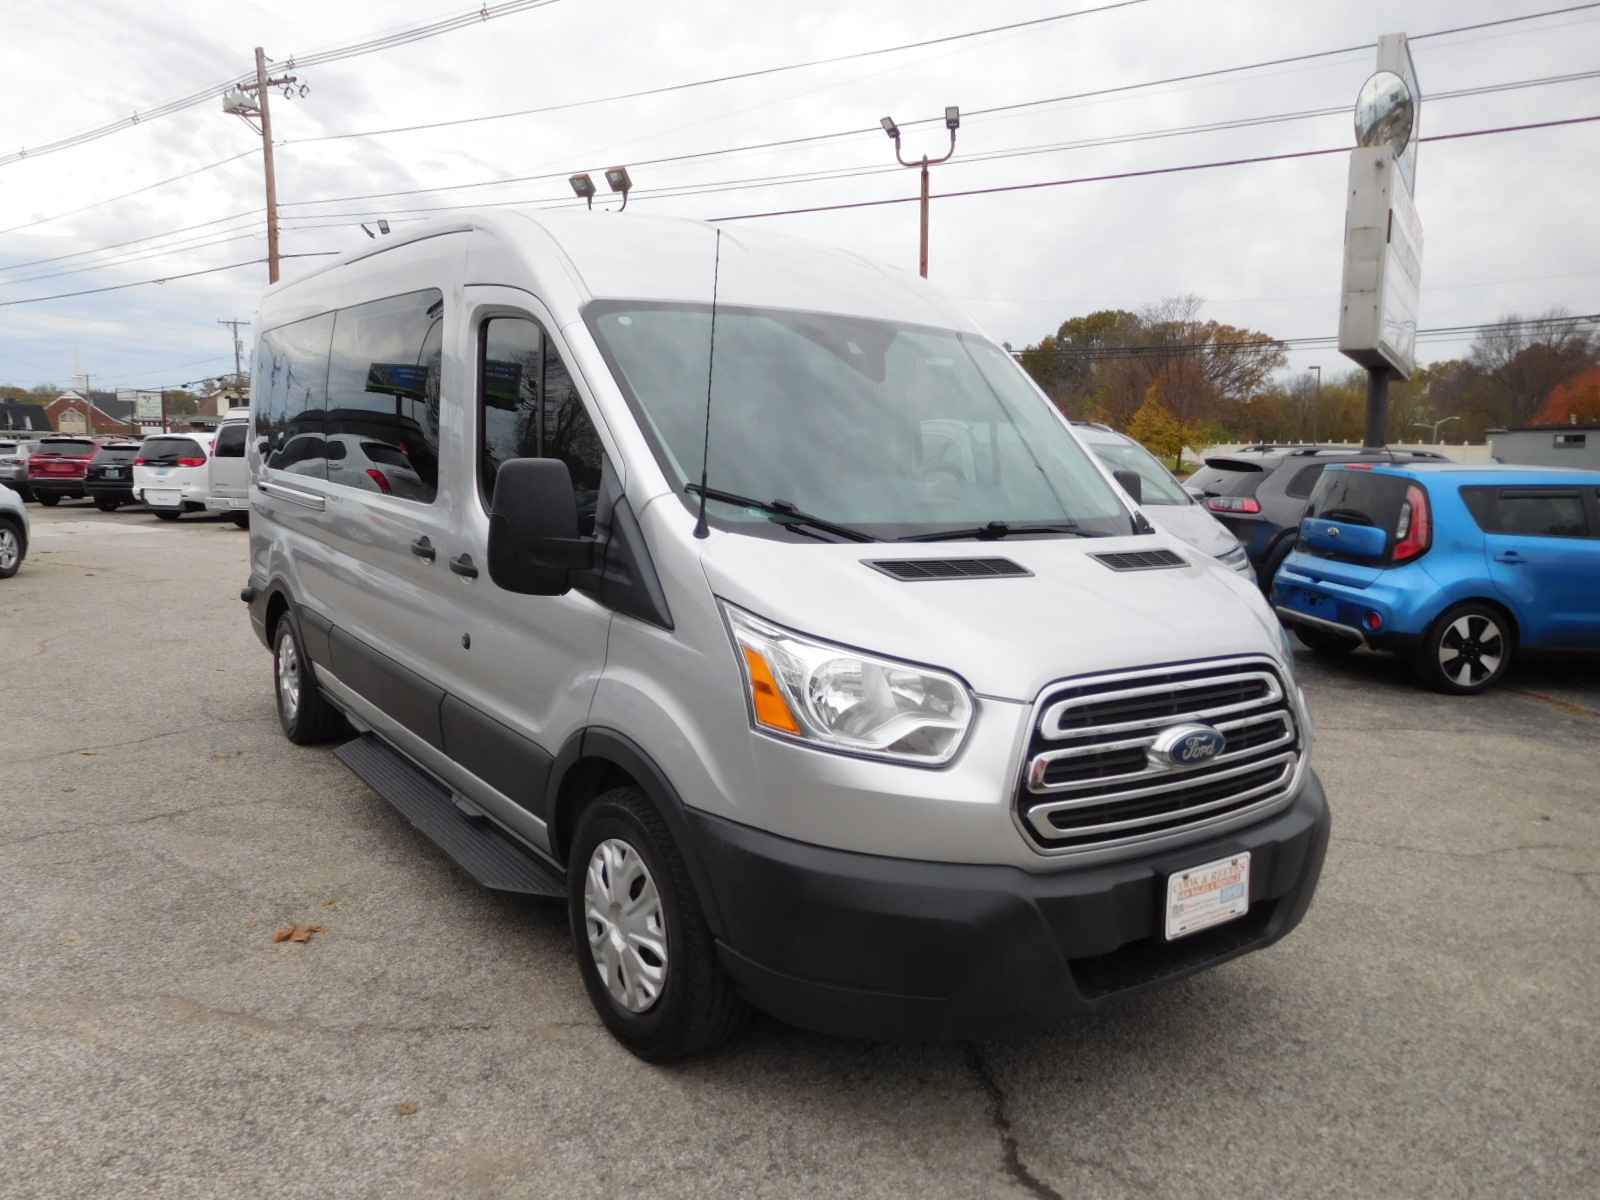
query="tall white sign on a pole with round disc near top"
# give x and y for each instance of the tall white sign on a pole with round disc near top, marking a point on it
(1383, 236)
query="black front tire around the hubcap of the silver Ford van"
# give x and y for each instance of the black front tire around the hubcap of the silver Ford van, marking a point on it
(694, 1009)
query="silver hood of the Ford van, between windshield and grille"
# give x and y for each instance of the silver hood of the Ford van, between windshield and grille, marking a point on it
(1007, 638)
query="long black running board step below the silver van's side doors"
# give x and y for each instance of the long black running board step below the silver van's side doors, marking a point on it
(478, 847)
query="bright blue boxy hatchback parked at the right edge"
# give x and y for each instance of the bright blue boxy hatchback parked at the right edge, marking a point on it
(1454, 567)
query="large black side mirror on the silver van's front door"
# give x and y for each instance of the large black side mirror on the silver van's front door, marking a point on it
(534, 529)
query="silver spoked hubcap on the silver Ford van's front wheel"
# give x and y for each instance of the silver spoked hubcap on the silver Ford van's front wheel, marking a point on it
(628, 932)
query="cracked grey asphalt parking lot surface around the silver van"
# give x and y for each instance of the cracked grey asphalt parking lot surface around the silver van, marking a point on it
(1431, 1031)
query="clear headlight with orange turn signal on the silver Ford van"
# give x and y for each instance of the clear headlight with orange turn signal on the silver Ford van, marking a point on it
(844, 700)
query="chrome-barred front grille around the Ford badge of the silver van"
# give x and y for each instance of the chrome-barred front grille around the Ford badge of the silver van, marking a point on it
(1094, 783)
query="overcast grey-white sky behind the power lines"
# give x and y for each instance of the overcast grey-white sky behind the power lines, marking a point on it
(1510, 220)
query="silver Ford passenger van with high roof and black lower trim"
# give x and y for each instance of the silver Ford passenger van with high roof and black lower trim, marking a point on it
(742, 594)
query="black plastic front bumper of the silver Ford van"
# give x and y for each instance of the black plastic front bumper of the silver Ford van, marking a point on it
(881, 948)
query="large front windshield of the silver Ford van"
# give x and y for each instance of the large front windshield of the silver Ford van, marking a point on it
(897, 431)
